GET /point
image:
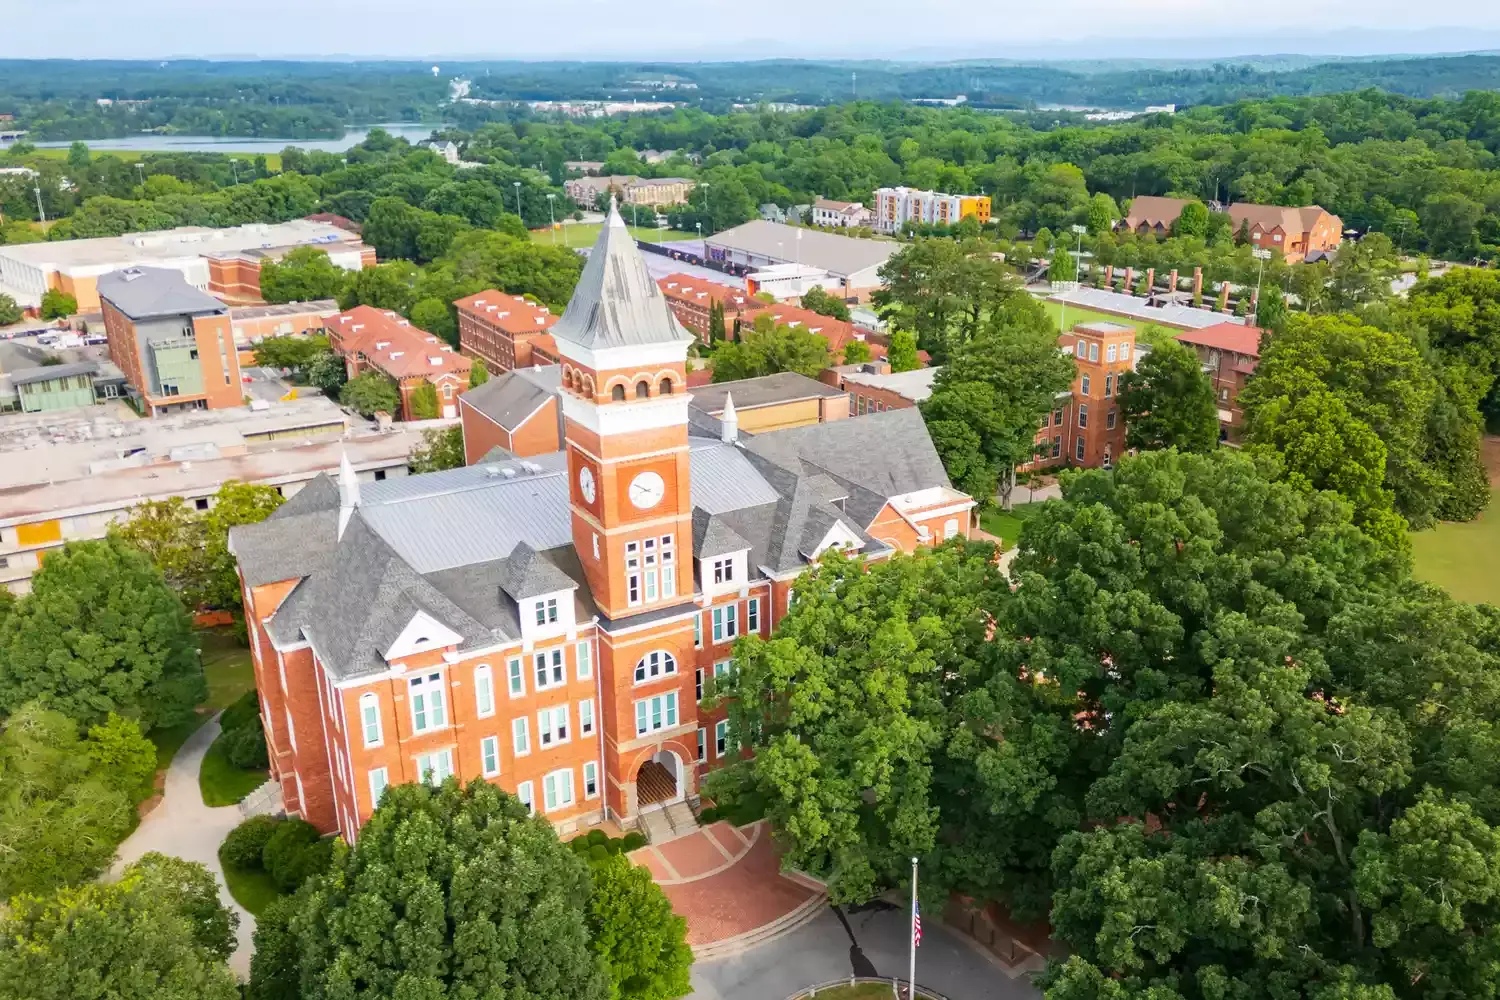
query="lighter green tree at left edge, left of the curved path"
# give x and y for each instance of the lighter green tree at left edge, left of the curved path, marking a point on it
(68, 801)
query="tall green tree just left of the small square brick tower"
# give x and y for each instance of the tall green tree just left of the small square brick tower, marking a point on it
(988, 403)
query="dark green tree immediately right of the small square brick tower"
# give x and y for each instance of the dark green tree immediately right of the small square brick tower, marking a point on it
(1168, 403)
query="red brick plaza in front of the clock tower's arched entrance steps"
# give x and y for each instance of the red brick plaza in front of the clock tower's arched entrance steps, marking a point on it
(725, 881)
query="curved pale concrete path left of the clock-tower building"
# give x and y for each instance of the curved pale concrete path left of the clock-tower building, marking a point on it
(185, 828)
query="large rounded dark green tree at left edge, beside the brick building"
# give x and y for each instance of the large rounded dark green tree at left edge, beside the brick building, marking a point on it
(101, 632)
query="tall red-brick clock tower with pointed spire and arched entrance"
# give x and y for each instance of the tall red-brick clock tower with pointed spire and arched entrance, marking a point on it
(625, 407)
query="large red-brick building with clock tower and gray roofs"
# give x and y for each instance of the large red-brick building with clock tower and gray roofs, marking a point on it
(550, 624)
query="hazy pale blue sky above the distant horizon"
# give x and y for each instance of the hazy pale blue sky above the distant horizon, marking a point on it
(688, 31)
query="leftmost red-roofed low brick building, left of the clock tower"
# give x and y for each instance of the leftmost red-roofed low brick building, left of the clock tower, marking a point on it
(379, 340)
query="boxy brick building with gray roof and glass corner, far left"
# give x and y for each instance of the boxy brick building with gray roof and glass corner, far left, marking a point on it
(173, 343)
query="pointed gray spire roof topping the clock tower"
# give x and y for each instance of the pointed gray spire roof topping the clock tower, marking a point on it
(617, 304)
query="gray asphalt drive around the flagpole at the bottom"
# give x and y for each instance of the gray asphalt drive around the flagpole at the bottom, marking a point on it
(866, 944)
